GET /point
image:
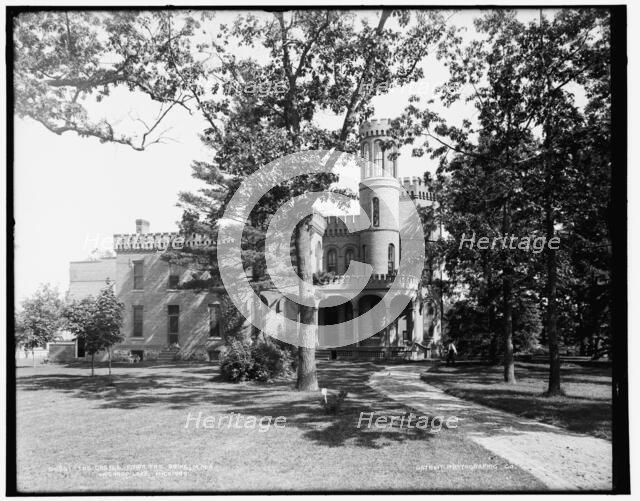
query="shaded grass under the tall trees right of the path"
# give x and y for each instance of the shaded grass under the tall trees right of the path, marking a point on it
(586, 407)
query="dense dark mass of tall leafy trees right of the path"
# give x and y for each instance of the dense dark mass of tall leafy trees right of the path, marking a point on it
(524, 164)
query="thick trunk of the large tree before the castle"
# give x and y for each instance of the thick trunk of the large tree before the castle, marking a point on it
(308, 315)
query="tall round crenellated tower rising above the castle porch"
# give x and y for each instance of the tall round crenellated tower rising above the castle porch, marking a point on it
(379, 198)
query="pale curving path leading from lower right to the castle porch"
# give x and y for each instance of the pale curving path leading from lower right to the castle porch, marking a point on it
(559, 458)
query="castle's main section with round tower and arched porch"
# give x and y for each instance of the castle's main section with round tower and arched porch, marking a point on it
(387, 200)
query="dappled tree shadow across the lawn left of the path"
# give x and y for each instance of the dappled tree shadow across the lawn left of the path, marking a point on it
(199, 388)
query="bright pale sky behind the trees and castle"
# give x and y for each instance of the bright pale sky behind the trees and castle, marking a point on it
(72, 194)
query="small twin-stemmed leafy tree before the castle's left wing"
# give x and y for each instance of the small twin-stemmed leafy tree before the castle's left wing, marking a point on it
(96, 322)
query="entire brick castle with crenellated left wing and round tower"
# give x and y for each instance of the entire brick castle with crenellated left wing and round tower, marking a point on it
(161, 318)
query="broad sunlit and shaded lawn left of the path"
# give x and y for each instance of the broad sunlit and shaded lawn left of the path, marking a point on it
(75, 433)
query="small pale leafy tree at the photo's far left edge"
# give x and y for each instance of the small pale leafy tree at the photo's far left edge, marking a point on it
(38, 322)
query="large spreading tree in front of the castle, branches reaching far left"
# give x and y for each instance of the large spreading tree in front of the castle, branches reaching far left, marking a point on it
(328, 61)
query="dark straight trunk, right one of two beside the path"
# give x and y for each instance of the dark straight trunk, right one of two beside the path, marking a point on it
(552, 311)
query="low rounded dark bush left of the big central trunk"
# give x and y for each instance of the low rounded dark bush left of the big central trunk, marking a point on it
(262, 361)
